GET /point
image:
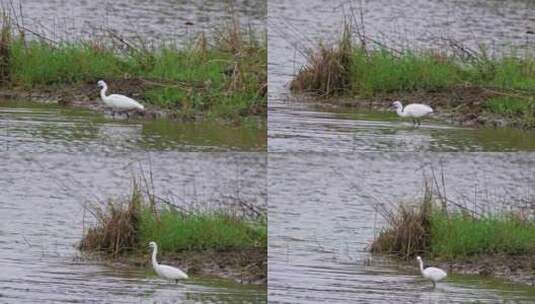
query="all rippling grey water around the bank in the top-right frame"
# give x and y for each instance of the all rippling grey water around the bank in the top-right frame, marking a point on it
(297, 126)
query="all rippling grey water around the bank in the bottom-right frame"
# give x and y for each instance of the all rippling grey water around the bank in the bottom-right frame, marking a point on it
(322, 220)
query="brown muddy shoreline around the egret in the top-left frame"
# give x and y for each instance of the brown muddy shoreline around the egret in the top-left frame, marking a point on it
(87, 96)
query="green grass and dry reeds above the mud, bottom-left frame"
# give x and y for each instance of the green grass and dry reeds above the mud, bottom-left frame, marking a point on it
(128, 226)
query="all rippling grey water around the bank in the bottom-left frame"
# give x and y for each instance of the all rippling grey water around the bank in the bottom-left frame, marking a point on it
(42, 218)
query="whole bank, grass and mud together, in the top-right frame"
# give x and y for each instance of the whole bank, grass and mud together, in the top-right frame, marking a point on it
(456, 79)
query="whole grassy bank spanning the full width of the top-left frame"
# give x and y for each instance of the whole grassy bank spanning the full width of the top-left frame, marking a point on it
(222, 77)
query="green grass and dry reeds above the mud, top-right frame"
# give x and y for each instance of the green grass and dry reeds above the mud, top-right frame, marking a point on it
(348, 68)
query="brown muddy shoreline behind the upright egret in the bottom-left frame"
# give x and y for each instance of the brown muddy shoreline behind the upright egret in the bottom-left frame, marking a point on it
(248, 267)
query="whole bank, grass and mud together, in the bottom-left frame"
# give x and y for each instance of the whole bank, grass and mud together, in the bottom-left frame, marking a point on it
(221, 243)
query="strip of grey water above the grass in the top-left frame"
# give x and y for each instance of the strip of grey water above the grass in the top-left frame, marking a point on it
(153, 21)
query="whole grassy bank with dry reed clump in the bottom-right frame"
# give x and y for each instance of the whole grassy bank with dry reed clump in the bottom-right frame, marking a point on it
(458, 236)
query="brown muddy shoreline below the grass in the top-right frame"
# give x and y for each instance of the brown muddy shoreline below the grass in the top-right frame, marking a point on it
(460, 106)
